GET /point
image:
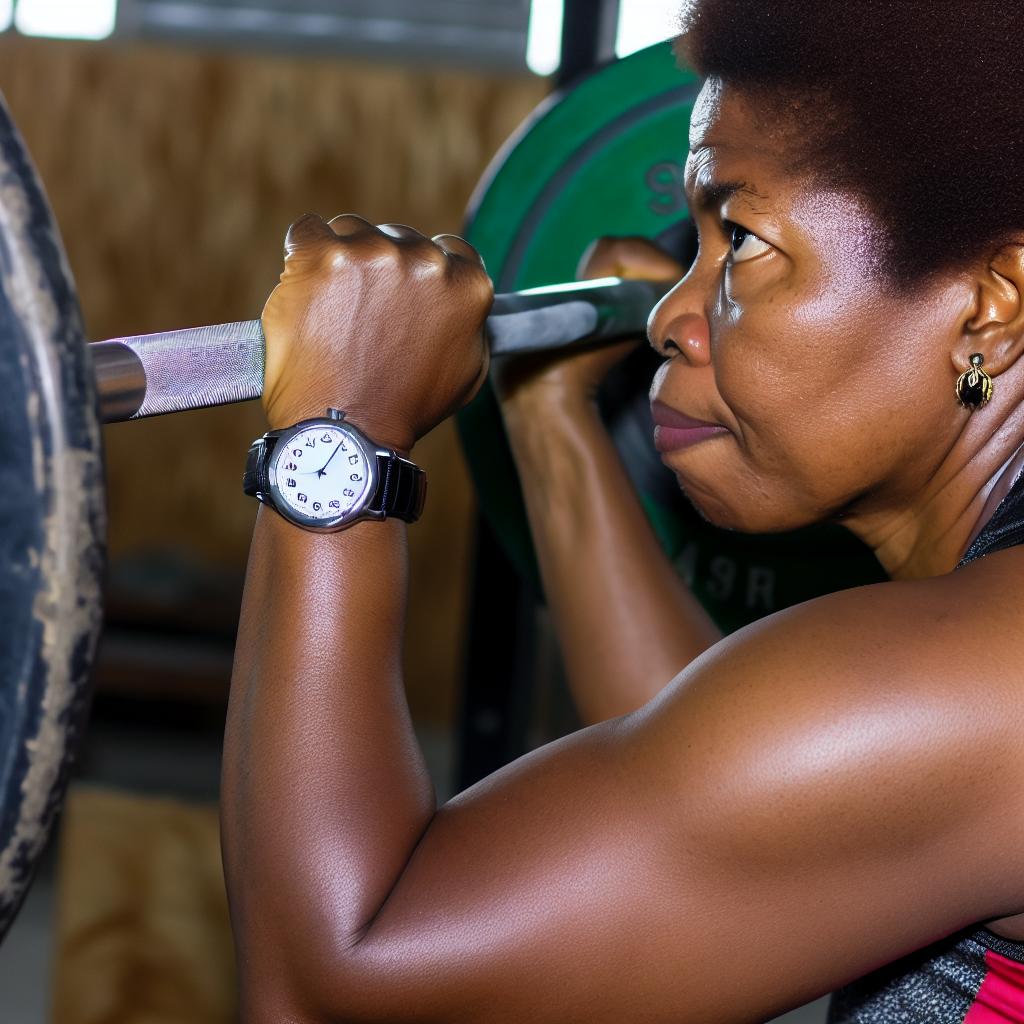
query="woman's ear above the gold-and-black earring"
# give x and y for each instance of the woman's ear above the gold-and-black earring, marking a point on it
(997, 325)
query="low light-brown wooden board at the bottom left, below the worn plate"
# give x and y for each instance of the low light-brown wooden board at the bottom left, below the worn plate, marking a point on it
(143, 931)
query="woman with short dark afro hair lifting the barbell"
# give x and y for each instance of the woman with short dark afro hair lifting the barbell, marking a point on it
(836, 789)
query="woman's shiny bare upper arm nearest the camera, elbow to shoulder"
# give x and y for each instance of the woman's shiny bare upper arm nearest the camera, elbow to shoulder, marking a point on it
(797, 809)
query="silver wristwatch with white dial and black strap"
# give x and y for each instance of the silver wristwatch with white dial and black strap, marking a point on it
(324, 476)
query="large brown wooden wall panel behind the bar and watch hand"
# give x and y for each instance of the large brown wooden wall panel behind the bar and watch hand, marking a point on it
(175, 175)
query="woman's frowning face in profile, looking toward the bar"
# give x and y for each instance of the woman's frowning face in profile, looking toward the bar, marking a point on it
(835, 391)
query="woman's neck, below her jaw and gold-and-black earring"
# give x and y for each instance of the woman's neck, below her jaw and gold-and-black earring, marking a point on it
(928, 535)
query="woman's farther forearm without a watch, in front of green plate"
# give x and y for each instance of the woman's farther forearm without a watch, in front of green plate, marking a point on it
(626, 622)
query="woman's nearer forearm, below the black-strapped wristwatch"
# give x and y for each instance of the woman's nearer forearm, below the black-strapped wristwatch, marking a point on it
(325, 792)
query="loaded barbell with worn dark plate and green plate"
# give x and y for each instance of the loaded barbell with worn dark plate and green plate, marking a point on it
(605, 158)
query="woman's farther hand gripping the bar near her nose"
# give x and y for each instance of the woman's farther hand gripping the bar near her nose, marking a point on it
(570, 378)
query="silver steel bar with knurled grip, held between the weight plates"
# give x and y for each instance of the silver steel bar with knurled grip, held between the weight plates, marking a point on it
(200, 367)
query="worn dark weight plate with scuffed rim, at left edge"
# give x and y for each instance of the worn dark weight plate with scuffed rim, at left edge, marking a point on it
(52, 521)
